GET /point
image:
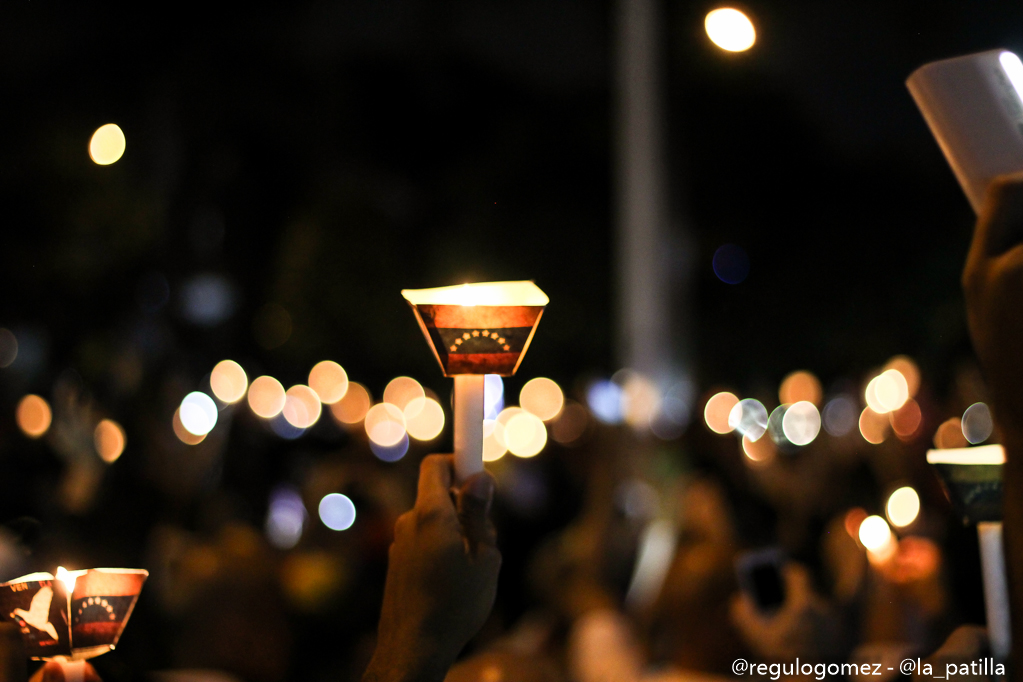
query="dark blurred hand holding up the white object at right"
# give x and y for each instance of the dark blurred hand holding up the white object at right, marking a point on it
(993, 282)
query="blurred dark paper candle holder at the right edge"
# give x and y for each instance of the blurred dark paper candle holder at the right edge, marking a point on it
(972, 480)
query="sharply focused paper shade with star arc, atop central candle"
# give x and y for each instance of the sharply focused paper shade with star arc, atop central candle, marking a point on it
(483, 329)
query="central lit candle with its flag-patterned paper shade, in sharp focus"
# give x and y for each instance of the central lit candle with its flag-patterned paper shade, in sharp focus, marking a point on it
(474, 331)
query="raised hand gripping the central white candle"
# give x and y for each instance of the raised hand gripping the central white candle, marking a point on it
(442, 577)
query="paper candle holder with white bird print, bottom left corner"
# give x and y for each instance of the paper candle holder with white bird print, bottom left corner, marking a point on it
(76, 616)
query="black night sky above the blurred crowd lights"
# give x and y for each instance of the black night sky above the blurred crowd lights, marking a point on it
(352, 150)
